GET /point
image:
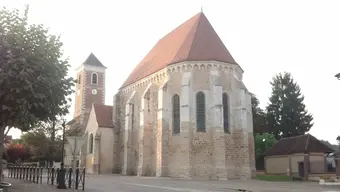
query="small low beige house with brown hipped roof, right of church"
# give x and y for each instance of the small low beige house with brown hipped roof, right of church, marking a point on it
(299, 155)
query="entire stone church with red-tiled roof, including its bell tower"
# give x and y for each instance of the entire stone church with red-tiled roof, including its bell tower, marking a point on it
(183, 111)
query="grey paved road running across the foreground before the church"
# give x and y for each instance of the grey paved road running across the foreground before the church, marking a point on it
(104, 183)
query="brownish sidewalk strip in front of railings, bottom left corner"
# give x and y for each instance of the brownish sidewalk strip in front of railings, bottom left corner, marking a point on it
(26, 186)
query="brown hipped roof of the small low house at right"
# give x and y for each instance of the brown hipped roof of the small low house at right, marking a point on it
(298, 144)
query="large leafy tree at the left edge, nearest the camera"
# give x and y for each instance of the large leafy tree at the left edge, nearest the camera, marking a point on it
(33, 74)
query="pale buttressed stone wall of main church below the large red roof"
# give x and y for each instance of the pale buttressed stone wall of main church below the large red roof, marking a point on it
(190, 154)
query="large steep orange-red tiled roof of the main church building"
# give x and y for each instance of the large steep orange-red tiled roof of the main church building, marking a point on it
(194, 40)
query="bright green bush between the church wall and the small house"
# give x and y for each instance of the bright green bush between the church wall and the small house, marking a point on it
(263, 142)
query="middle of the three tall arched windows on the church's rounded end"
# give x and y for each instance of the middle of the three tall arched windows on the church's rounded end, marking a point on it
(200, 112)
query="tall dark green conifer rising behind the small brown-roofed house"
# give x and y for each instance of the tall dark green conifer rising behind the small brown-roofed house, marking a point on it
(286, 113)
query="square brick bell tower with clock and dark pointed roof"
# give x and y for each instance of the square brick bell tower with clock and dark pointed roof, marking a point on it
(90, 87)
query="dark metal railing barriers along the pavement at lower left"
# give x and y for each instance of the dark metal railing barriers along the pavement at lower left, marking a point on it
(38, 174)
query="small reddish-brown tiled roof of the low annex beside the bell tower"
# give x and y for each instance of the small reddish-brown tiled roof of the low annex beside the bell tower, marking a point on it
(103, 115)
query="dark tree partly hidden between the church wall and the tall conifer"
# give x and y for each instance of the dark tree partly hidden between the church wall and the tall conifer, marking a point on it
(259, 116)
